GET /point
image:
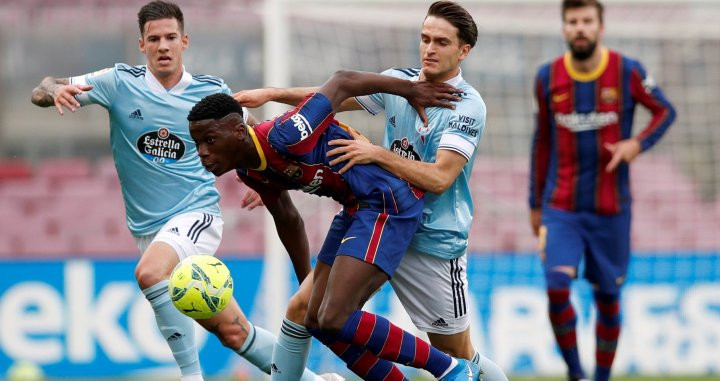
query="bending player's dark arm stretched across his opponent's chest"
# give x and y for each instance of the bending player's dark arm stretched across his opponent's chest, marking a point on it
(345, 84)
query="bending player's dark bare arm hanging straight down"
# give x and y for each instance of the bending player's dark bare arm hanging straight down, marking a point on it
(291, 230)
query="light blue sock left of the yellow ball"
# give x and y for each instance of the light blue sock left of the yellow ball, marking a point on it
(177, 329)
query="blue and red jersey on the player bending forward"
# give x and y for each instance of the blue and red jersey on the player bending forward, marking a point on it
(293, 151)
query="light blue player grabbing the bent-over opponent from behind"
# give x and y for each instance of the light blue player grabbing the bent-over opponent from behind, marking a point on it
(437, 158)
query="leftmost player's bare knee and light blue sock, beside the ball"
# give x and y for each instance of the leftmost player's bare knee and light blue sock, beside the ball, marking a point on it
(152, 273)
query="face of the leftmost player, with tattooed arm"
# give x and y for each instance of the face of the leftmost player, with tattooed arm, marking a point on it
(163, 43)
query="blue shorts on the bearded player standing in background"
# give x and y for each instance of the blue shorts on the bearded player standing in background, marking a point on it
(602, 241)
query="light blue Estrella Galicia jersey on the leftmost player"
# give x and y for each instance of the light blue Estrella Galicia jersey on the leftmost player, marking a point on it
(155, 157)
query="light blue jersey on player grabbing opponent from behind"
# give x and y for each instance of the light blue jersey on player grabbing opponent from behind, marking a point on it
(447, 217)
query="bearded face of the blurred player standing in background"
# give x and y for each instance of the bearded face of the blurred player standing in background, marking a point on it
(582, 30)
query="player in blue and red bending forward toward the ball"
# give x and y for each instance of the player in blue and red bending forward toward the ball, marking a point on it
(367, 239)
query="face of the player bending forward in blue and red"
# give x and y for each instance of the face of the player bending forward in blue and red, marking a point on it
(217, 145)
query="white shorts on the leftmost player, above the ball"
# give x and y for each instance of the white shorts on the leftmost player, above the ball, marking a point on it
(189, 234)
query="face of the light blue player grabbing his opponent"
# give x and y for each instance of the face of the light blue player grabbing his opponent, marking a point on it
(441, 51)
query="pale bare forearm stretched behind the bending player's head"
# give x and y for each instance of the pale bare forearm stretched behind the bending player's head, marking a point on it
(290, 96)
